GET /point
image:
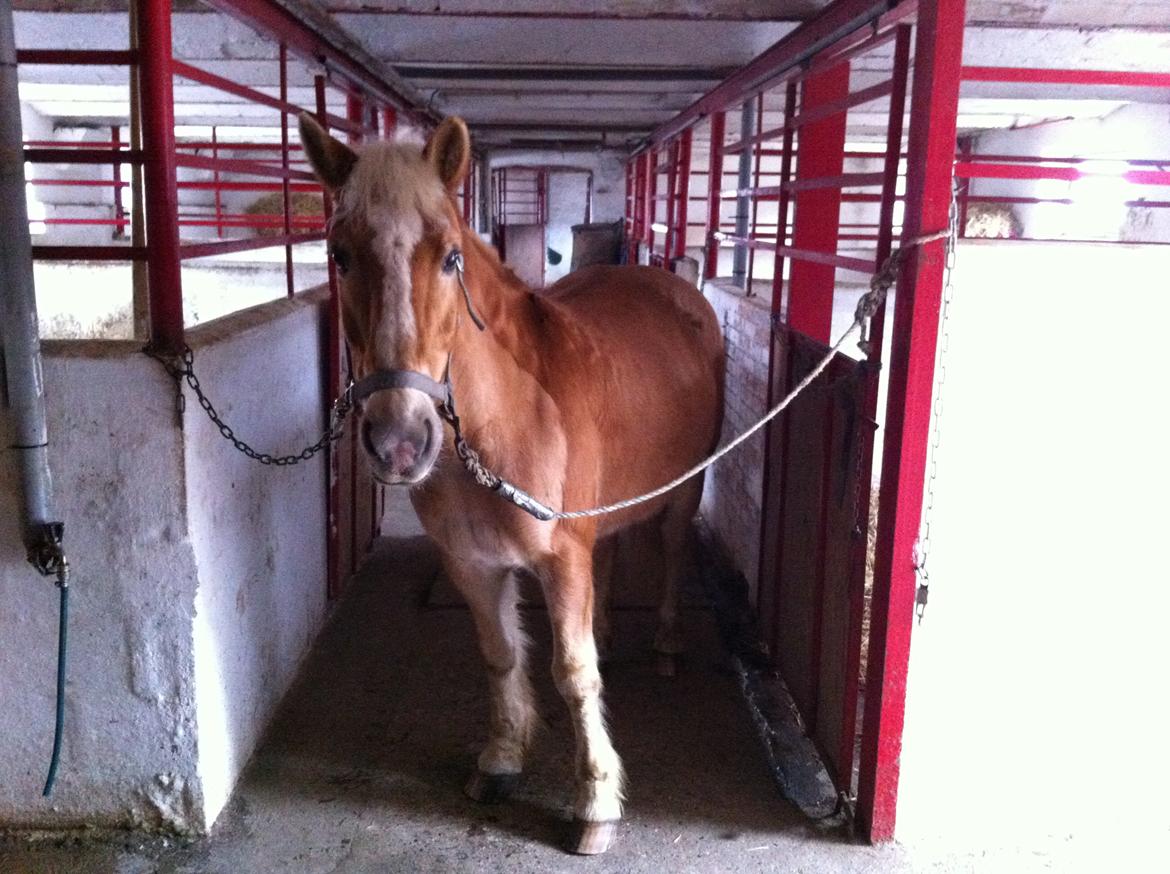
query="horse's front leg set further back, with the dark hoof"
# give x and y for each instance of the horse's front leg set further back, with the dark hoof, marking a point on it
(492, 596)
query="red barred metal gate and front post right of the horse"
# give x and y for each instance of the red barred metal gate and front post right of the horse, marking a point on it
(811, 180)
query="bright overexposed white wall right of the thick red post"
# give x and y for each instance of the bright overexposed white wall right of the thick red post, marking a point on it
(1037, 712)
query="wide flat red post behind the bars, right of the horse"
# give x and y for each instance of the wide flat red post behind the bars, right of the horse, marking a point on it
(821, 154)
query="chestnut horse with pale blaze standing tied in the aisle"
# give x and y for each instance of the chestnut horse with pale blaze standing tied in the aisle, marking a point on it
(597, 389)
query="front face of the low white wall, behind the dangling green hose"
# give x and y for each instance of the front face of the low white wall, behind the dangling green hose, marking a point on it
(130, 747)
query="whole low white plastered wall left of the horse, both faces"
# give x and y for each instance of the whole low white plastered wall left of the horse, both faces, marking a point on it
(198, 582)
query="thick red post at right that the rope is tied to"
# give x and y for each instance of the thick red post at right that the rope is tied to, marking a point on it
(934, 109)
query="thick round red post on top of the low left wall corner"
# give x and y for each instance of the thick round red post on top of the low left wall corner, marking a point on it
(157, 94)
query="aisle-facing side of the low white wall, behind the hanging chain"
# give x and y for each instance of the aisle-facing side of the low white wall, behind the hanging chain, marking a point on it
(259, 533)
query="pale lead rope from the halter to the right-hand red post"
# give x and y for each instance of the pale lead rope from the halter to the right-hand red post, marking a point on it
(870, 304)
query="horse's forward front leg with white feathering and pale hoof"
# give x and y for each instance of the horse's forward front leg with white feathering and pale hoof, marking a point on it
(568, 582)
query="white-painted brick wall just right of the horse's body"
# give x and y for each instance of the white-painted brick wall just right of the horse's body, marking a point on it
(734, 490)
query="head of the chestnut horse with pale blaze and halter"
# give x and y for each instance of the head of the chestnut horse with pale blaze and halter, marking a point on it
(395, 238)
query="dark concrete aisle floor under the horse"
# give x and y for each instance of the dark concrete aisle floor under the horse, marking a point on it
(364, 767)
